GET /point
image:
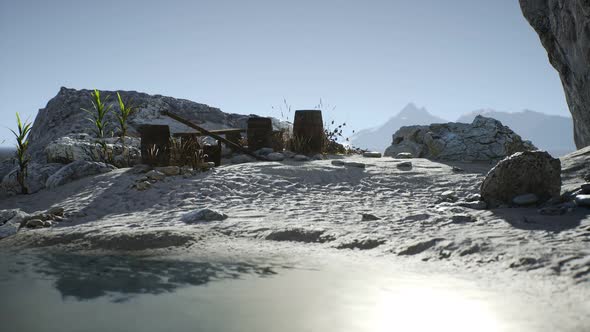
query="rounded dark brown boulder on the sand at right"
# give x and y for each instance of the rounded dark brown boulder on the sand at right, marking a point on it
(530, 172)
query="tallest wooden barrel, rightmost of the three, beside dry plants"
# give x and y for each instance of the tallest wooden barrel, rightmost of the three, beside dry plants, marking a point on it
(308, 129)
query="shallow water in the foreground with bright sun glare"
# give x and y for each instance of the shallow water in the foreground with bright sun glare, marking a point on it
(112, 293)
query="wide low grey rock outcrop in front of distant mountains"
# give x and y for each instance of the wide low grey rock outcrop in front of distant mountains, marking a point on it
(485, 139)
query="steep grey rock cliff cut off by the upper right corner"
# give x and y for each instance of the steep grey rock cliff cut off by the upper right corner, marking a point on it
(564, 29)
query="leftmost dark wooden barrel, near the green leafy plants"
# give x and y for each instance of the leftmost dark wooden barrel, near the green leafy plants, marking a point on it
(155, 145)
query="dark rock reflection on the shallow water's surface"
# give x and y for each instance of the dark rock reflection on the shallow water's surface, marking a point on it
(120, 277)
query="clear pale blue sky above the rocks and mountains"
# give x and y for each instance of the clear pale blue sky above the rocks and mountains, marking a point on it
(364, 59)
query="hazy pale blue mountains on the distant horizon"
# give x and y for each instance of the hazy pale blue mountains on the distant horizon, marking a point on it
(548, 132)
